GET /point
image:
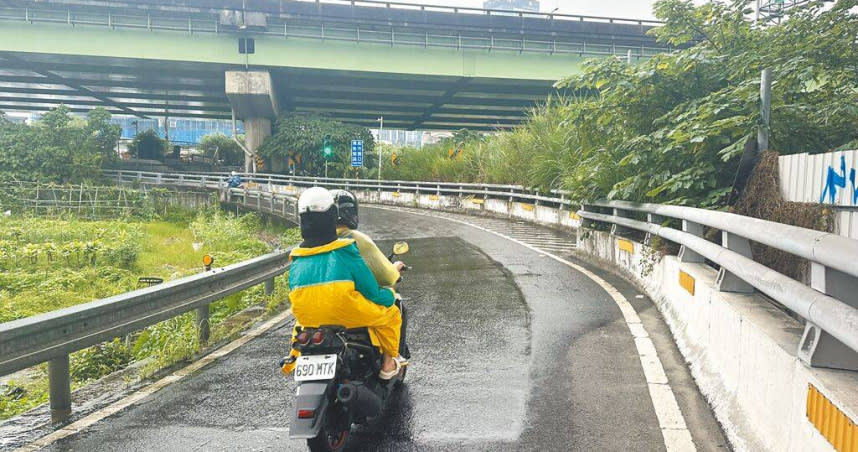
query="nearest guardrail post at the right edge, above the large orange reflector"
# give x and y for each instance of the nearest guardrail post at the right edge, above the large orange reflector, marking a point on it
(818, 348)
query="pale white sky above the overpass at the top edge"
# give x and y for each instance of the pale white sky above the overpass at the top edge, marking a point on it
(631, 9)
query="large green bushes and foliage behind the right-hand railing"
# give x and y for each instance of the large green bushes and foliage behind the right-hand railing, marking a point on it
(672, 128)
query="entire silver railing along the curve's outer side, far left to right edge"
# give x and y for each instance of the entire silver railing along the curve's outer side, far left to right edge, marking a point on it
(828, 305)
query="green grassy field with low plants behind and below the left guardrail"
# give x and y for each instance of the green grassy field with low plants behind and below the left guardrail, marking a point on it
(48, 264)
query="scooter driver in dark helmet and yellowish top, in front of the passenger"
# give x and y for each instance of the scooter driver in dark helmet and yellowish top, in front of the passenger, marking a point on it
(385, 272)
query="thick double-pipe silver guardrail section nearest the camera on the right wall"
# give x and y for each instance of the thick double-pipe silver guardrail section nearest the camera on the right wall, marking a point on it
(829, 305)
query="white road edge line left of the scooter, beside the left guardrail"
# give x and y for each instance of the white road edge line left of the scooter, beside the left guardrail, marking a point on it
(142, 393)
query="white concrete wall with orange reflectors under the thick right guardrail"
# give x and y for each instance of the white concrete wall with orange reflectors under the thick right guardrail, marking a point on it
(741, 350)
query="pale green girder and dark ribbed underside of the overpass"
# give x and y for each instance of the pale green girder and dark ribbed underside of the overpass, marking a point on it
(157, 73)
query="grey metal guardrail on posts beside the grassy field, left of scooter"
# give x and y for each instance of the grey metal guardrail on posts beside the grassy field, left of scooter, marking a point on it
(52, 336)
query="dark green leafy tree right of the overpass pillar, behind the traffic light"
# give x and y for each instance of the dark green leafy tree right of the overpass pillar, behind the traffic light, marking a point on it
(301, 138)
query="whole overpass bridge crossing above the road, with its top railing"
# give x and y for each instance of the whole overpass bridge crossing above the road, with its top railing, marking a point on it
(421, 67)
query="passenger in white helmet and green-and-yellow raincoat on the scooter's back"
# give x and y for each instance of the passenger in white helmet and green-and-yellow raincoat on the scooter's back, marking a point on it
(330, 284)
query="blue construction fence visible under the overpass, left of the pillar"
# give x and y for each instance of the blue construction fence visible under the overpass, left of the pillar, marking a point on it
(185, 132)
